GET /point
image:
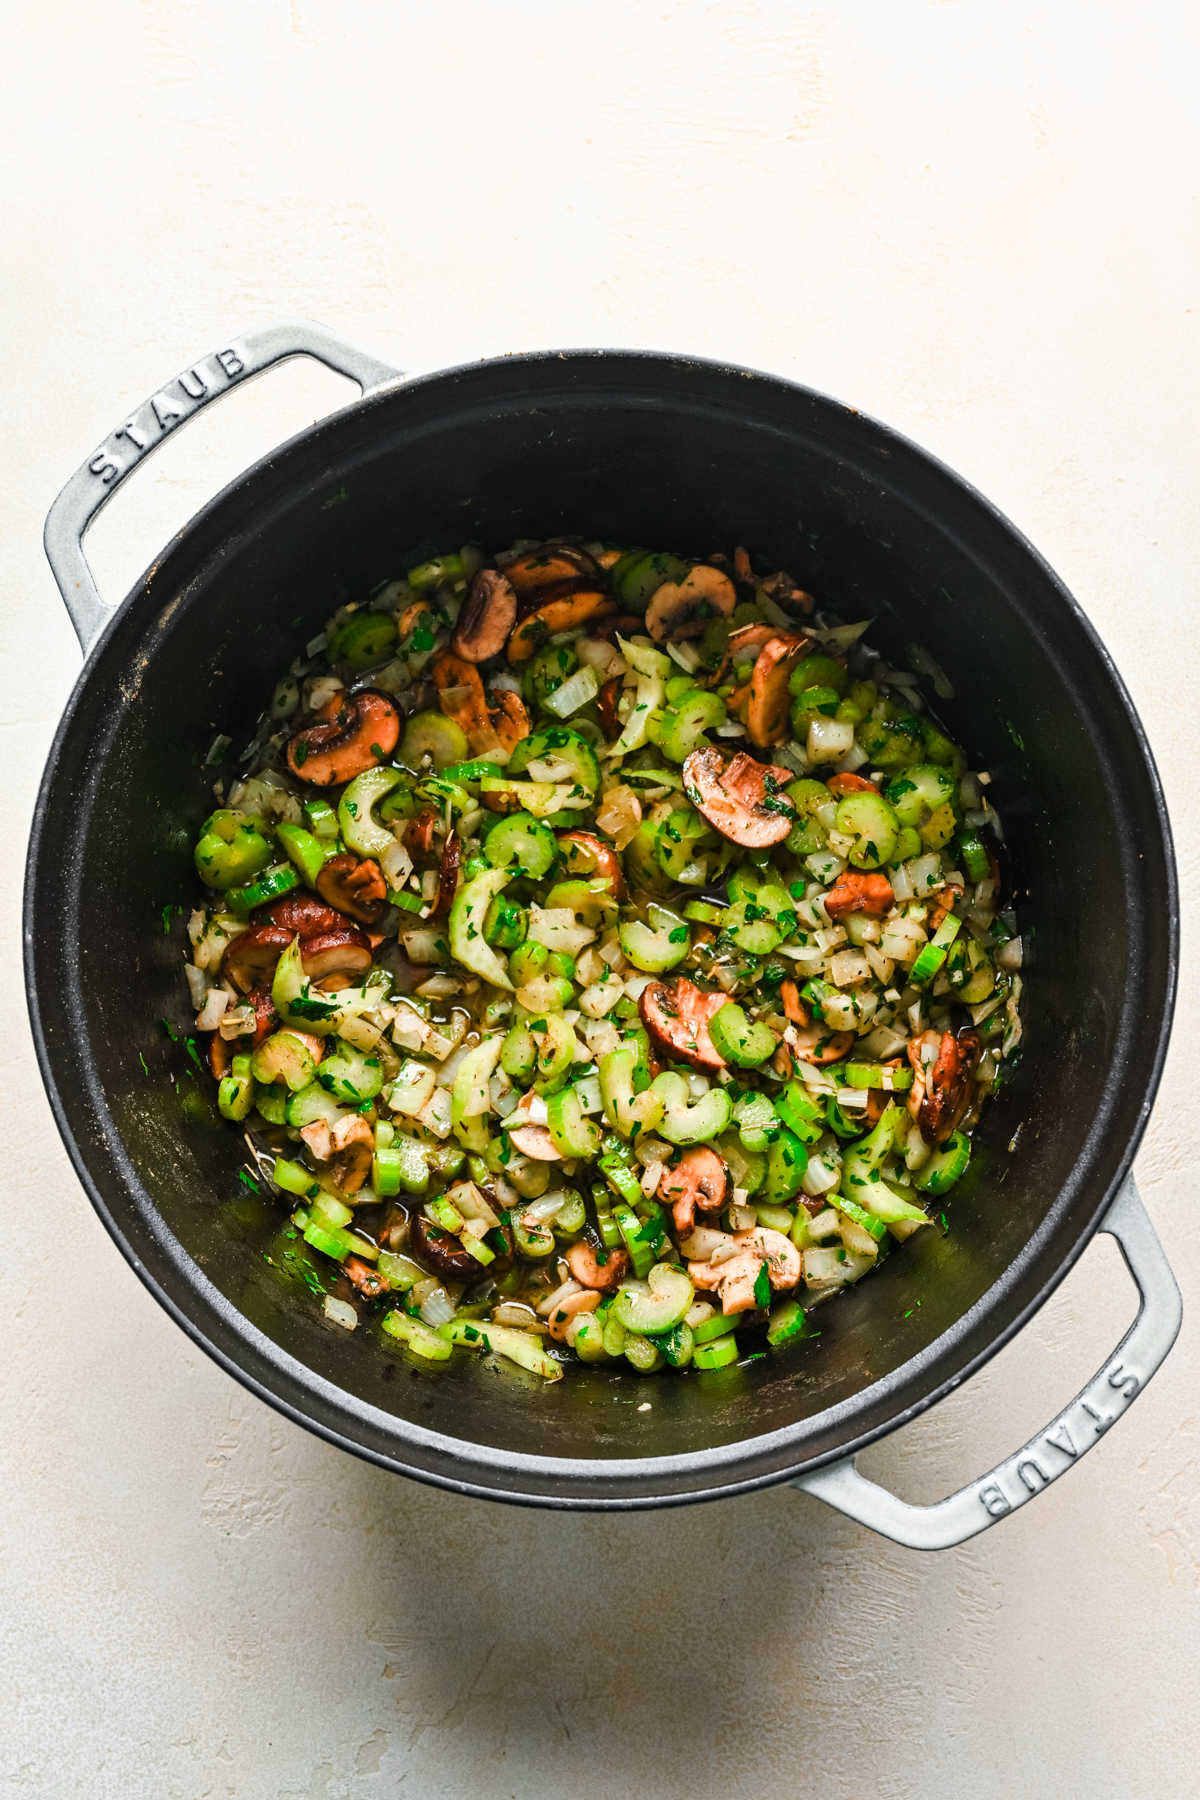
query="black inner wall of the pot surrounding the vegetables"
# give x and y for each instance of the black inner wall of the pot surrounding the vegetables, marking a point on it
(634, 451)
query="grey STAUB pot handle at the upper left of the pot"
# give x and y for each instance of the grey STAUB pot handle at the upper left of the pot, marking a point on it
(148, 426)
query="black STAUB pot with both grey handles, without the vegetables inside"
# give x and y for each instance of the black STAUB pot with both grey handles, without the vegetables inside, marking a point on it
(638, 449)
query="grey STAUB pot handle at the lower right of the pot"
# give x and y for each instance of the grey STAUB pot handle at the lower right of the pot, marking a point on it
(1062, 1443)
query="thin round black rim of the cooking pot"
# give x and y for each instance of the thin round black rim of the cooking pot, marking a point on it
(762, 1459)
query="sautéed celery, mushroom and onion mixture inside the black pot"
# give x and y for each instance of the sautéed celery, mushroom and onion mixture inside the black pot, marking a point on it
(605, 957)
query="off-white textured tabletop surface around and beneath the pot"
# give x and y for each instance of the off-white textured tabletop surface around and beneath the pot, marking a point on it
(974, 220)
